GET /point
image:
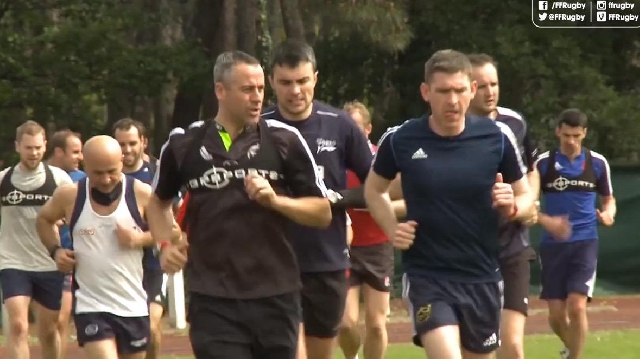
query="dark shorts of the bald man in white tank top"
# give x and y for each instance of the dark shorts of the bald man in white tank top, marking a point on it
(131, 333)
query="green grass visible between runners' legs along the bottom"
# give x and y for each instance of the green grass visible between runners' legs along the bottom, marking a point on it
(600, 345)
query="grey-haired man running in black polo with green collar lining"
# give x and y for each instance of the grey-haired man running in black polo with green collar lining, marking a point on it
(239, 170)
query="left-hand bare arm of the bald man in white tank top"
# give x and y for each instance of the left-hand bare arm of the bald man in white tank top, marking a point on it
(53, 211)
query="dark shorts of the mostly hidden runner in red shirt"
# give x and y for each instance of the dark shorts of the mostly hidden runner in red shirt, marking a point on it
(372, 265)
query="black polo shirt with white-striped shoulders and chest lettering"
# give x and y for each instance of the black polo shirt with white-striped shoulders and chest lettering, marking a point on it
(237, 248)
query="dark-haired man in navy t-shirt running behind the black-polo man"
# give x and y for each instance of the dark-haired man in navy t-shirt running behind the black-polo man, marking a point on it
(337, 145)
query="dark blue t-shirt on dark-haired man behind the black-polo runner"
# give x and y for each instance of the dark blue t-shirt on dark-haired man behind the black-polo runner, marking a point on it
(337, 144)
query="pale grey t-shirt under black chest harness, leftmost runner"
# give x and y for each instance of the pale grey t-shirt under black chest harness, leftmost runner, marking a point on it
(20, 245)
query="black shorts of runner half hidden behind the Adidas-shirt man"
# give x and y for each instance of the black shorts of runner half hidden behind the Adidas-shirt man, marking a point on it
(516, 274)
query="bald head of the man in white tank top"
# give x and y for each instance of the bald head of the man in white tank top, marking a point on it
(103, 162)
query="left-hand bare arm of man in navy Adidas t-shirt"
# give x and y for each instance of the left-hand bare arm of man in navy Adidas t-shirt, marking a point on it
(379, 204)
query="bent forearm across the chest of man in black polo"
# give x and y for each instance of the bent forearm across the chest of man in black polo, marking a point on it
(308, 211)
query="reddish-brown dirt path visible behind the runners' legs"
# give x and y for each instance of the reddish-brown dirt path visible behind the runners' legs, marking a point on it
(604, 314)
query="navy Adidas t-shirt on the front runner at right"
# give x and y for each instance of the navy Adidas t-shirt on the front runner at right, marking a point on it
(447, 184)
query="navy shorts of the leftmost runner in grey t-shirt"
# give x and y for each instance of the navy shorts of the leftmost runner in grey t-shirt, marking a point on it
(43, 287)
